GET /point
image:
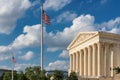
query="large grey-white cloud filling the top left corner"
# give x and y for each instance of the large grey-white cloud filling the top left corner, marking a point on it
(10, 11)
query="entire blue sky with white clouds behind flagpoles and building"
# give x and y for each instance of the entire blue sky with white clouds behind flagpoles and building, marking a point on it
(20, 29)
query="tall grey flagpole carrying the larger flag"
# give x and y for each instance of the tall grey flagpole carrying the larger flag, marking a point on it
(41, 36)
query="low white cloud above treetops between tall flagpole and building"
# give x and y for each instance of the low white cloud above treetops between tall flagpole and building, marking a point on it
(58, 65)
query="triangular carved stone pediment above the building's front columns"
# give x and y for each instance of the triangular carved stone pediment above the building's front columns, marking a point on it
(81, 37)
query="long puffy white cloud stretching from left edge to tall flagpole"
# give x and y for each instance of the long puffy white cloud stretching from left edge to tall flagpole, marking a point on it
(29, 38)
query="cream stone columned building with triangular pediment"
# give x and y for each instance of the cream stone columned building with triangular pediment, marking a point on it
(94, 55)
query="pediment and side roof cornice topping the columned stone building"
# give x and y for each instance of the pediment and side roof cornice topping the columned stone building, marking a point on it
(82, 37)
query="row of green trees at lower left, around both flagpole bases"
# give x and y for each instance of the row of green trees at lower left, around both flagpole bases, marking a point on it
(31, 73)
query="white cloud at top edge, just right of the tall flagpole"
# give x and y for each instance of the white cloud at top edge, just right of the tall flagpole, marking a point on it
(56, 4)
